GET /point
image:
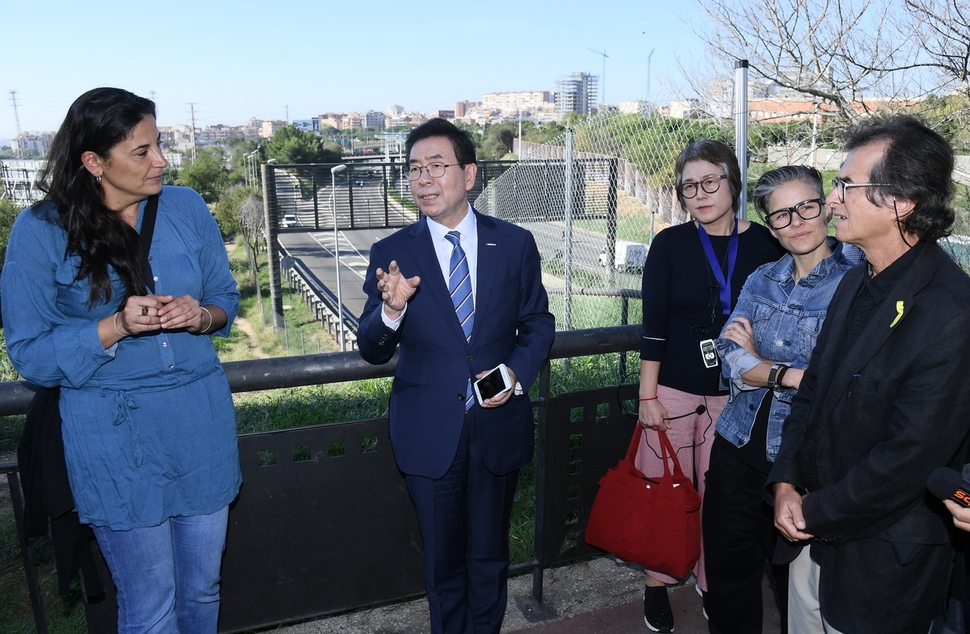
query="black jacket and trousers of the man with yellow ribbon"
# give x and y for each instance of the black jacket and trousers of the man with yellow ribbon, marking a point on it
(864, 434)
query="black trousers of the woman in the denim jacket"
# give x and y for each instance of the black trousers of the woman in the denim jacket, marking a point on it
(739, 539)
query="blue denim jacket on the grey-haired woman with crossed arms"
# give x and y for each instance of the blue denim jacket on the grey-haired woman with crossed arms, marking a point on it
(785, 319)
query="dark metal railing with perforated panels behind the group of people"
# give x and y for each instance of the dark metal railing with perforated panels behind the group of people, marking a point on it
(324, 524)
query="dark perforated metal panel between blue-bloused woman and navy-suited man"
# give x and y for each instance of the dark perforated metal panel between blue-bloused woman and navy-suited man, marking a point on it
(323, 524)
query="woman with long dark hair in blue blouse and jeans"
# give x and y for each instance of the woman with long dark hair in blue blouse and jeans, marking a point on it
(148, 419)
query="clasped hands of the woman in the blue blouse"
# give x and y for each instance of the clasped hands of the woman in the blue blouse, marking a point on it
(146, 313)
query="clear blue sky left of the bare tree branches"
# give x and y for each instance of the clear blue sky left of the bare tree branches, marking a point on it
(237, 59)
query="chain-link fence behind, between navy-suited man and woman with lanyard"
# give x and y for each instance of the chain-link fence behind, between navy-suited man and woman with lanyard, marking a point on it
(594, 198)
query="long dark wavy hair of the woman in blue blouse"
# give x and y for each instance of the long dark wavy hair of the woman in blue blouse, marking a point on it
(96, 122)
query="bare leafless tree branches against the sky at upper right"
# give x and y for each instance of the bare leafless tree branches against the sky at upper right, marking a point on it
(841, 51)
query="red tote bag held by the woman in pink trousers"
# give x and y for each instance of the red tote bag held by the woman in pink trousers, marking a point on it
(654, 522)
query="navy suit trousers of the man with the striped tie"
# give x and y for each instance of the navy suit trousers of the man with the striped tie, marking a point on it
(464, 522)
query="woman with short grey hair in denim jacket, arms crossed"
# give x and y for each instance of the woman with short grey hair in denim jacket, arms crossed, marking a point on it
(764, 349)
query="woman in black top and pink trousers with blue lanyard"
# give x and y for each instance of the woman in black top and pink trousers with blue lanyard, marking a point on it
(691, 281)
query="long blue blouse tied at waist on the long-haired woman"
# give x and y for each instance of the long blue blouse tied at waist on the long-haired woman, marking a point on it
(149, 424)
